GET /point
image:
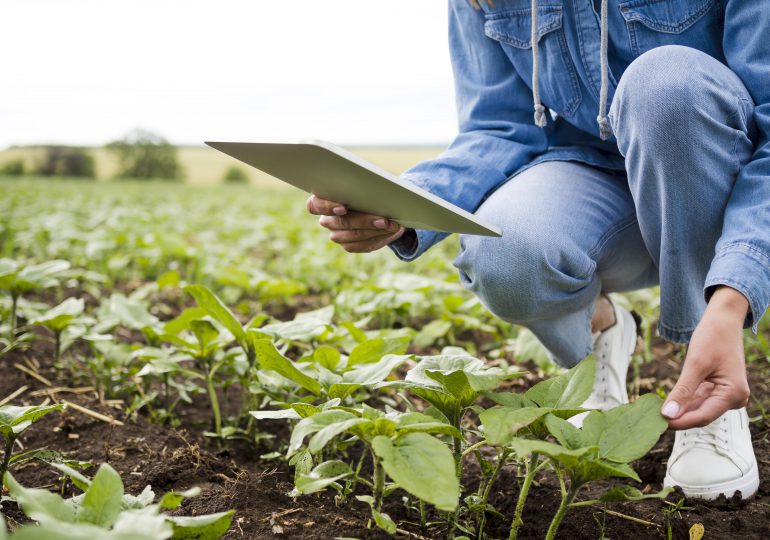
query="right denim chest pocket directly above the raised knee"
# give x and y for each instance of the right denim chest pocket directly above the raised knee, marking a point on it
(652, 23)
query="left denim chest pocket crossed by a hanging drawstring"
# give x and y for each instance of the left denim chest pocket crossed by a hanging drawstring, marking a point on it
(559, 87)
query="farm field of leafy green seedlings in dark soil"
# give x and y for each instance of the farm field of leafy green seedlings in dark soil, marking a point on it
(210, 337)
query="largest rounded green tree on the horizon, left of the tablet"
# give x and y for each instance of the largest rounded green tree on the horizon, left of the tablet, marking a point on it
(142, 154)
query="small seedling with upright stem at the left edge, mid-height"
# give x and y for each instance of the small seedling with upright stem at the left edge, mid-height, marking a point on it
(19, 280)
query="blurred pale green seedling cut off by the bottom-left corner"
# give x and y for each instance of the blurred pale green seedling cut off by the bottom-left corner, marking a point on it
(105, 511)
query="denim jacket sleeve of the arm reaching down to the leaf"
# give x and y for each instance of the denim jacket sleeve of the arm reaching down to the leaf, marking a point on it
(742, 259)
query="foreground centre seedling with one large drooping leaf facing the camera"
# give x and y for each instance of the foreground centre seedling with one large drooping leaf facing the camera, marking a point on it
(401, 445)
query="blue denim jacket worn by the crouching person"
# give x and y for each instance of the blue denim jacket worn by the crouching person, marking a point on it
(492, 62)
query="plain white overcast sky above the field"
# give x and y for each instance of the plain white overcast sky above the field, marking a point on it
(355, 72)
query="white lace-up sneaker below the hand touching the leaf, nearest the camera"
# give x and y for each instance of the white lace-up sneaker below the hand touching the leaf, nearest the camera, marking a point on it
(715, 459)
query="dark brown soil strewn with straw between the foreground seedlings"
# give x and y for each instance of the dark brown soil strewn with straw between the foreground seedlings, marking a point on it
(234, 476)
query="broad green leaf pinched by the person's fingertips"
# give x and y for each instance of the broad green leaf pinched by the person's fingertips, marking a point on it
(632, 430)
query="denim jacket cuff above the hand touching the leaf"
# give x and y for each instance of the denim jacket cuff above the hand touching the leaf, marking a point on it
(746, 269)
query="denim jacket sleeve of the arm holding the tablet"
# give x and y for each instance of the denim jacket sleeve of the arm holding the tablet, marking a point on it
(497, 135)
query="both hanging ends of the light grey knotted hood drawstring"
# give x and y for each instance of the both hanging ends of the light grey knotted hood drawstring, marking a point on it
(605, 130)
